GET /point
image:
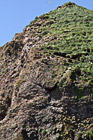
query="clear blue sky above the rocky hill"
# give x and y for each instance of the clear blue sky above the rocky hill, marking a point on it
(16, 14)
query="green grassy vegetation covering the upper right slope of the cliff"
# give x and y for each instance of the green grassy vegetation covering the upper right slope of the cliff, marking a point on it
(69, 33)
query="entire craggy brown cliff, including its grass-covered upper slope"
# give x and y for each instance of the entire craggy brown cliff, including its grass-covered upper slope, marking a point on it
(46, 78)
